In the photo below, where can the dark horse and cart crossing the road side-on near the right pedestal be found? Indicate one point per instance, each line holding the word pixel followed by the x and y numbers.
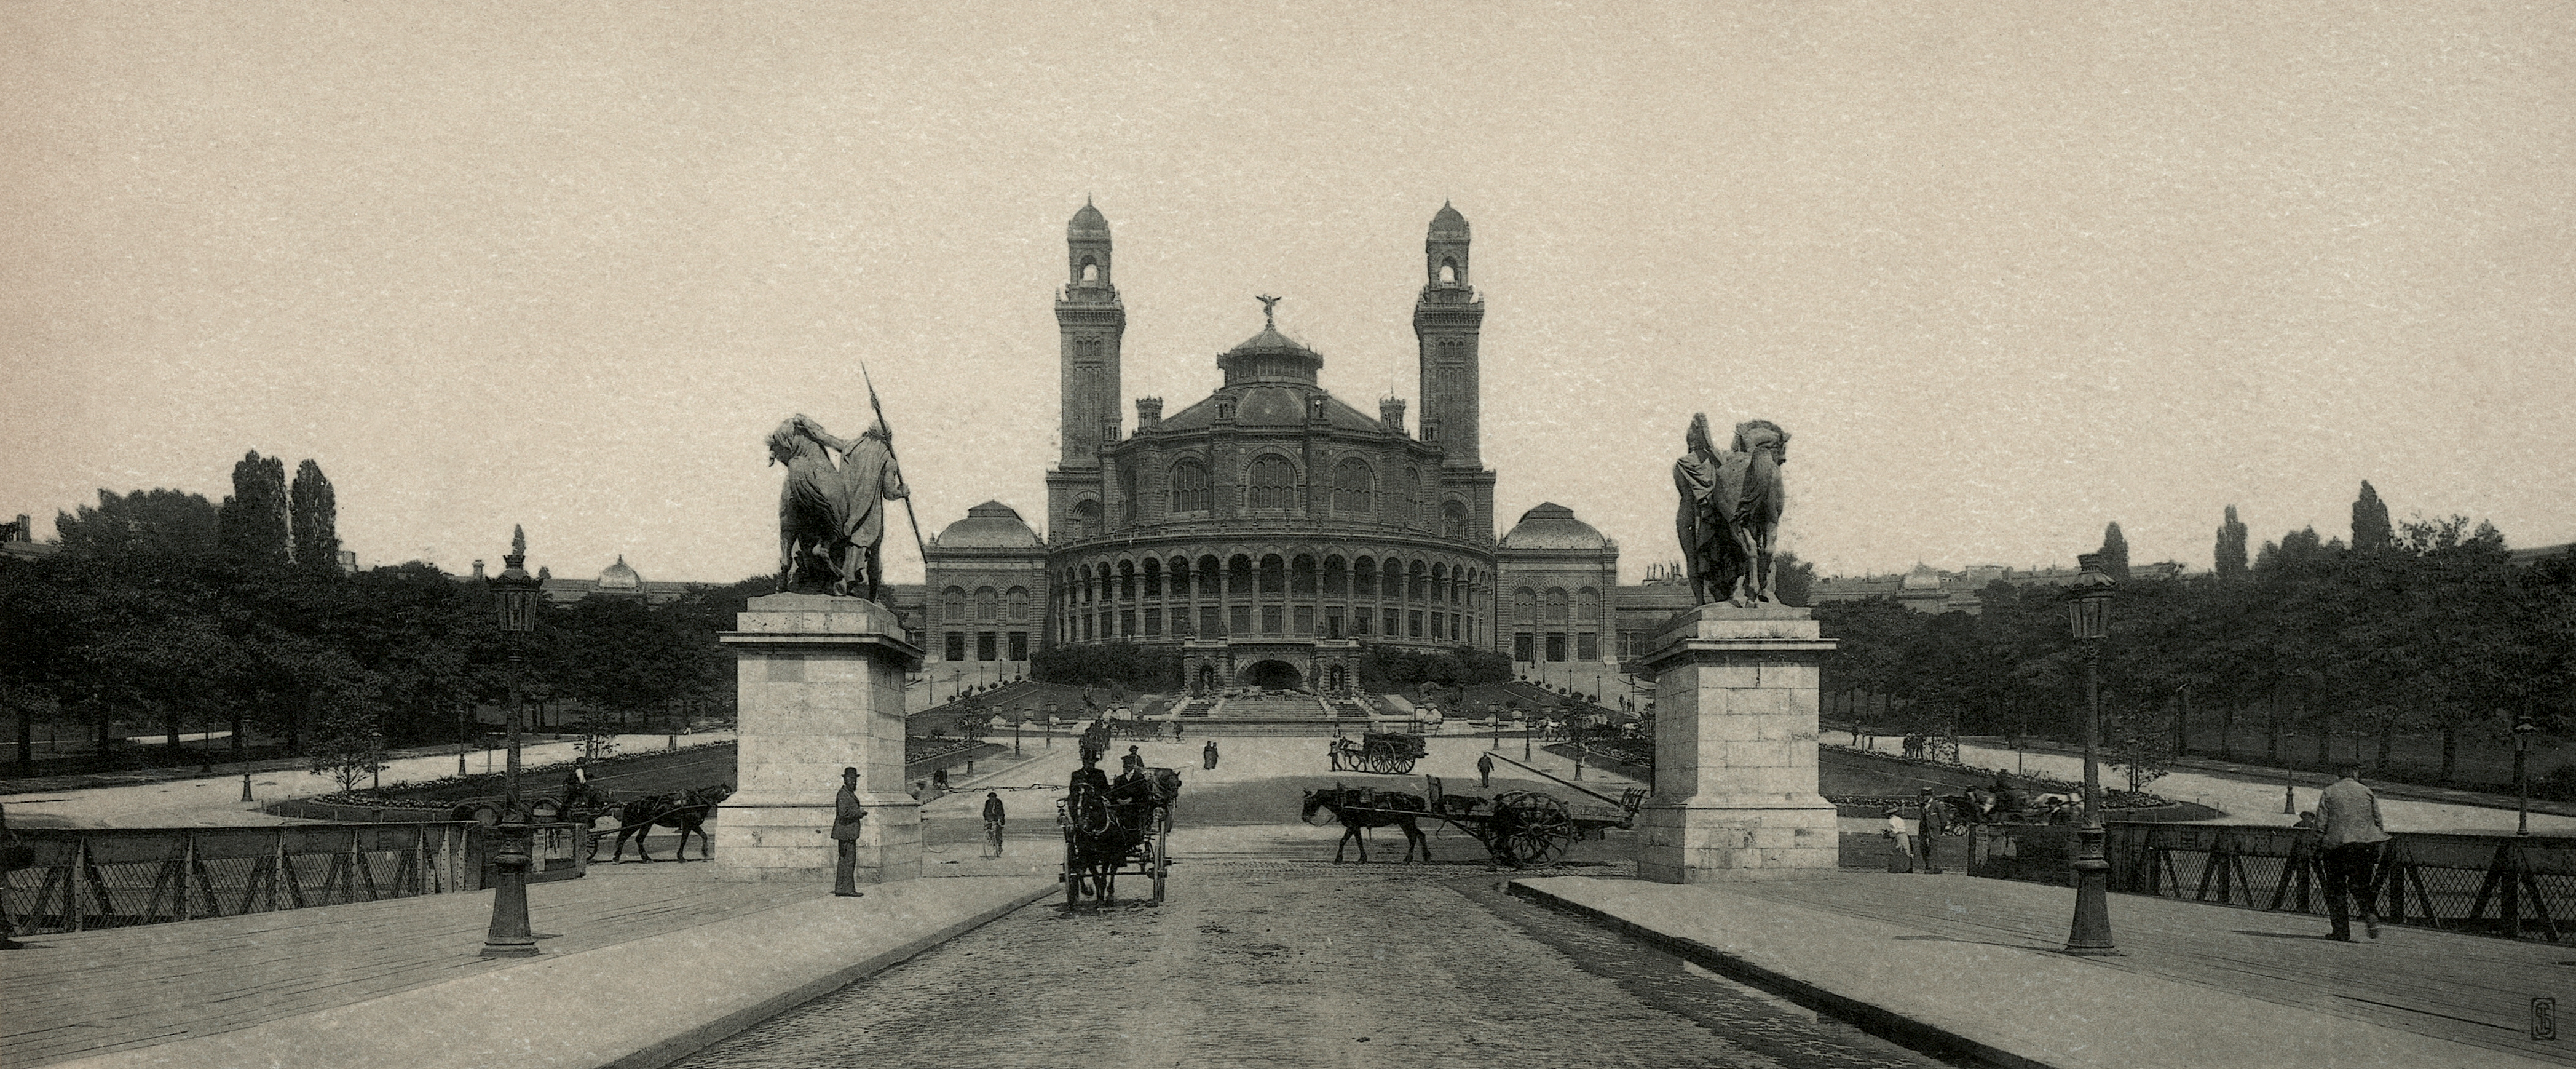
pixel 1516 828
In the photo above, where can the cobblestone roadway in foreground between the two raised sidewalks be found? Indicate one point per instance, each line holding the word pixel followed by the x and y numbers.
pixel 1294 965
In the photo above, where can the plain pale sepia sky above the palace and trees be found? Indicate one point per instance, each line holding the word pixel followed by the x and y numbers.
pixel 2005 272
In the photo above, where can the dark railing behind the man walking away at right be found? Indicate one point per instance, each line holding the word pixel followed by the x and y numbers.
pixel 2487 885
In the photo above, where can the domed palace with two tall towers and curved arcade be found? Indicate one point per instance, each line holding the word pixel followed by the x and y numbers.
pixel 1269 529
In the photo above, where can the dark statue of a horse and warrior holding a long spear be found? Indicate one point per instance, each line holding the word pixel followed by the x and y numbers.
pixel 833 516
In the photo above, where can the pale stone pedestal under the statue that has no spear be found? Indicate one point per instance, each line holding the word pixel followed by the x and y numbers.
pixel 1735 751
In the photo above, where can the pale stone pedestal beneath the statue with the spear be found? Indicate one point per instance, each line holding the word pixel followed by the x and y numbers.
pixel 820 689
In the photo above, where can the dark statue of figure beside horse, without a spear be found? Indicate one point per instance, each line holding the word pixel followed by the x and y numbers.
pixel 1730 519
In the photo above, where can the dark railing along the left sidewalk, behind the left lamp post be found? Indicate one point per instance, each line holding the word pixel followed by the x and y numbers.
pixel 84 880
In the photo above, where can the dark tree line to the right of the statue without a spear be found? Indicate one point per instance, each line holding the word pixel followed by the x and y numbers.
pixel 2423 627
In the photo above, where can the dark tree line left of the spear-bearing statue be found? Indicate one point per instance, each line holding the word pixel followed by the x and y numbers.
pixel 169 614
